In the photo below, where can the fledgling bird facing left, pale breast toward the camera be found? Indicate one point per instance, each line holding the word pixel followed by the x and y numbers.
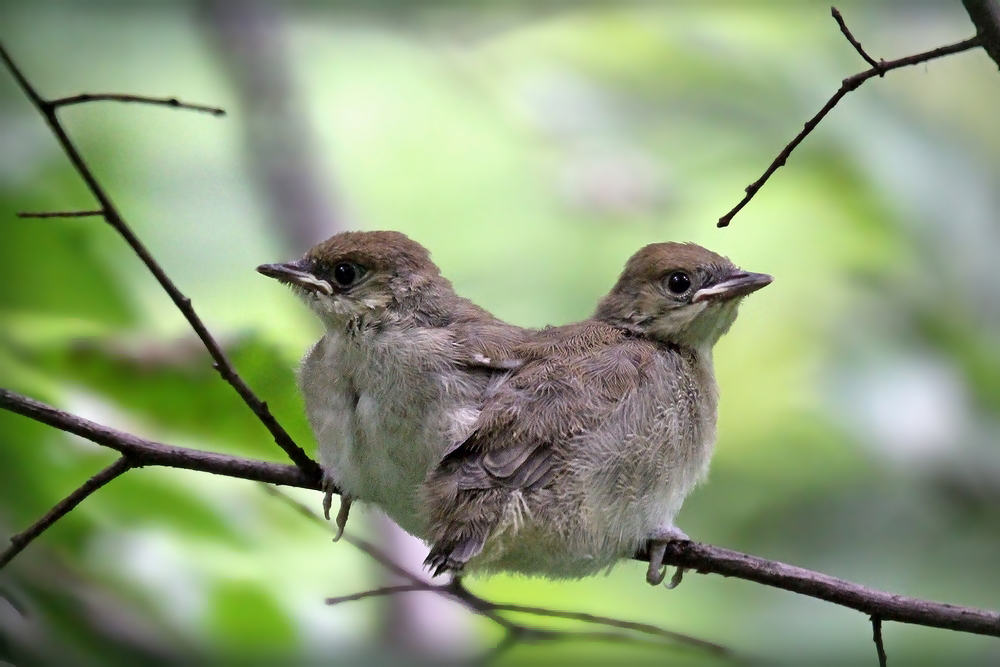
pixel 400 372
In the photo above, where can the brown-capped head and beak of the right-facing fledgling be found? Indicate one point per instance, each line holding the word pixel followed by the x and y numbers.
pixel 678 293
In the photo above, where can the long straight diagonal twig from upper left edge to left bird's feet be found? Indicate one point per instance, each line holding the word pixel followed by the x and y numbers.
pixel 48 111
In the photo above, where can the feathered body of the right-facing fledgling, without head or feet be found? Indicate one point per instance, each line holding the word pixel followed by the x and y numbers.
pixel 578 457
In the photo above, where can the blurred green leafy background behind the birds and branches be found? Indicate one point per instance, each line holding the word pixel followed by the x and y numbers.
pixel 532 146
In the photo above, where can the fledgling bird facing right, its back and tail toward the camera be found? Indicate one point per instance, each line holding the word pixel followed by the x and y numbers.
pixel 584 453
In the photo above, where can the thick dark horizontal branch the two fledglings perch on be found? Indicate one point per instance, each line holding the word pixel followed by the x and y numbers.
pixel 703 558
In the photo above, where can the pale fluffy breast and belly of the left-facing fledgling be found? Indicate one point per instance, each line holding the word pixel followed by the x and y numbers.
pixel 384 405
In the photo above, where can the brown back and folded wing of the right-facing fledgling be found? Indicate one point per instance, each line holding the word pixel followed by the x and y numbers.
pixel 568 382
